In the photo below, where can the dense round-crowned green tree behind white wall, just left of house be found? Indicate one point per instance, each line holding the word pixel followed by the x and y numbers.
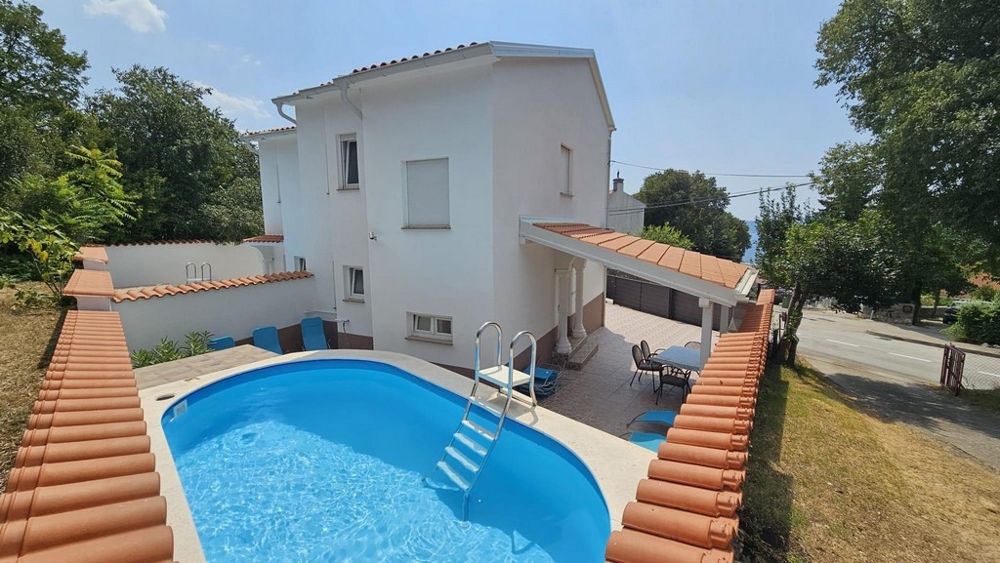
pixel 181 159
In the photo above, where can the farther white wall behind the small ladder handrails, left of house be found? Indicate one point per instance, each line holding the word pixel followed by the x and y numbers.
pixel 155 264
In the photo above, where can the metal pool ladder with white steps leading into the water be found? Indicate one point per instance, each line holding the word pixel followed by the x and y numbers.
pixel 472 443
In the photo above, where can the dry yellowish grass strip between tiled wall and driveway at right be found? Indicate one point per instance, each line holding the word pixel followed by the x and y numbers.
pixel 830 483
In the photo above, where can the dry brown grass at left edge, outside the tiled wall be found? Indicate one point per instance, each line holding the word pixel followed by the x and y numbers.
pixel 26 340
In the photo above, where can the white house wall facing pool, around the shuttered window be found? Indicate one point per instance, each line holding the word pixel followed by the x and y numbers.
pixel 447 114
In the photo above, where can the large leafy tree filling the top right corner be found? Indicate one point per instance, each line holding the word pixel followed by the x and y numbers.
pixel 923 78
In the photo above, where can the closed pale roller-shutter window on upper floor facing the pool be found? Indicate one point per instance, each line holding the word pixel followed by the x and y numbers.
pixel 426 194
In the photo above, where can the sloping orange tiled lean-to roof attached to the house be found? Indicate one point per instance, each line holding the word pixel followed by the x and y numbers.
pixel 719 271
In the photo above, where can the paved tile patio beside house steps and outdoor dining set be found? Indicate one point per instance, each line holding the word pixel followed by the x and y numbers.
pixel 599 395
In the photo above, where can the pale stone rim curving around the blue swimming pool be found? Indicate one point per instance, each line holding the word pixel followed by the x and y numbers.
pixel 615 463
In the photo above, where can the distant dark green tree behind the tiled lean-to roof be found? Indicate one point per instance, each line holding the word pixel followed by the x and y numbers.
pixel 694 205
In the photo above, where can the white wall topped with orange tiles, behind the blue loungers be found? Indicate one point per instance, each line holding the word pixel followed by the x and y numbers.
pixel 233 311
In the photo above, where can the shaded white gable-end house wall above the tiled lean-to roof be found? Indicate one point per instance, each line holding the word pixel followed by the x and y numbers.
pixel 541 105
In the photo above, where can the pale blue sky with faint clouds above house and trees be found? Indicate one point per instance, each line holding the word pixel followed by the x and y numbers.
pixel 717 86
